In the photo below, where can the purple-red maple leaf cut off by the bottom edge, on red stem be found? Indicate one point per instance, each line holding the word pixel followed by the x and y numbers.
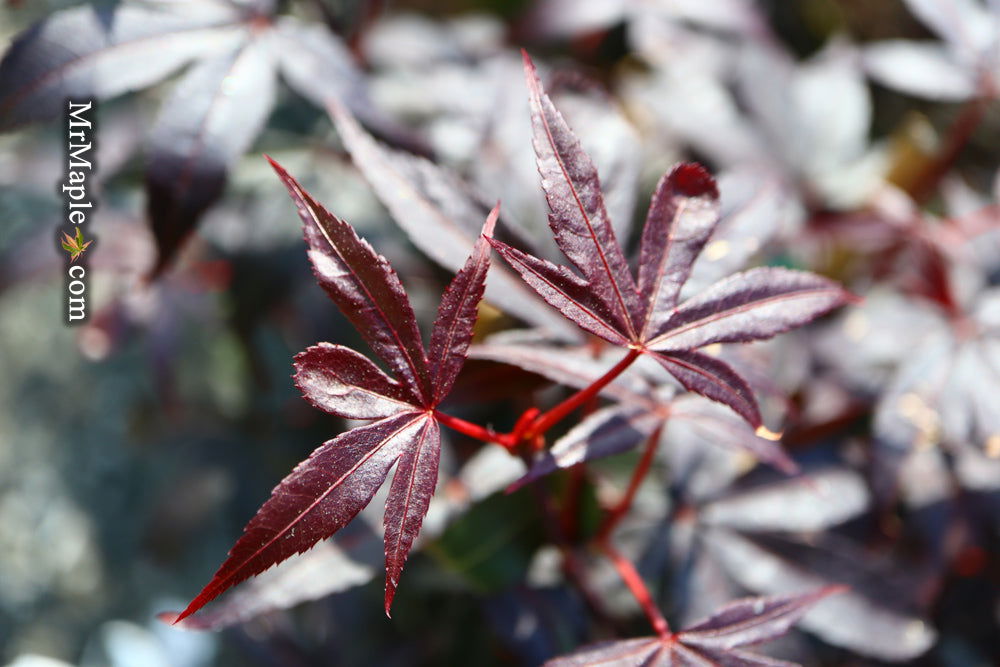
pixel 717 640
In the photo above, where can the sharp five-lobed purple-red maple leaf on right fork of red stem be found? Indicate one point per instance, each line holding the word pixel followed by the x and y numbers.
pixel 644 315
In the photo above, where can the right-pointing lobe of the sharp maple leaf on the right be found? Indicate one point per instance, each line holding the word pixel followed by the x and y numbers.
pixel 752 305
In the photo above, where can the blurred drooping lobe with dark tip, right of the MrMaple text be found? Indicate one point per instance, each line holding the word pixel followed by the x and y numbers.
pixel 206 124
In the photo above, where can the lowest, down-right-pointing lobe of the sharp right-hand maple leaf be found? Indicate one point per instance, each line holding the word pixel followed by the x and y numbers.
pixel 713 379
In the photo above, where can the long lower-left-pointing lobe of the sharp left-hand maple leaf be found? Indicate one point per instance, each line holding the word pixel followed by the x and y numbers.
pixel 317 499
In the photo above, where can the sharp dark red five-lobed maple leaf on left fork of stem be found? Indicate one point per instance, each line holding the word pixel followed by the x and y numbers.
pixel 337 481
